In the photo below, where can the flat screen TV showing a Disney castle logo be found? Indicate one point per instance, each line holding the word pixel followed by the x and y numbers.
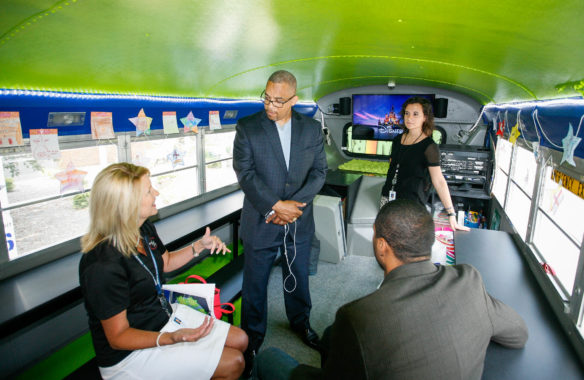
pixel 377 117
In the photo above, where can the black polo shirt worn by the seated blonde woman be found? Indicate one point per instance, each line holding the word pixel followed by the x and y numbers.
pixel 111 283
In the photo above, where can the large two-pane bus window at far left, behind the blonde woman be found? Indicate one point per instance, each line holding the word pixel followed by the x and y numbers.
pixel 45 202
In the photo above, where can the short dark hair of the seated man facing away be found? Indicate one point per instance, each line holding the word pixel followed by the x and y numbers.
pixel 407 227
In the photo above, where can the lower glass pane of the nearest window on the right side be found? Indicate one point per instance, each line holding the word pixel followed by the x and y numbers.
pixel 557 250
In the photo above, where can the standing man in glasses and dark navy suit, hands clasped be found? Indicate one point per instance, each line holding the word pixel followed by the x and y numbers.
pixel 279 159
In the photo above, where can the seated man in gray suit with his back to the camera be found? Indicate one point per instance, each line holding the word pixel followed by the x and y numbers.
pixel 424 321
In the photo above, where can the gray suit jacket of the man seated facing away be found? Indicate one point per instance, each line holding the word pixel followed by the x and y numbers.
pixel 424 322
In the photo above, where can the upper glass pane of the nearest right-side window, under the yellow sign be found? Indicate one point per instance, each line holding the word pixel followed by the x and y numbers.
pixel 563 206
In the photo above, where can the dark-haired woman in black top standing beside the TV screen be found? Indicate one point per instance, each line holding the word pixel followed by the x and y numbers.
pixel 414 164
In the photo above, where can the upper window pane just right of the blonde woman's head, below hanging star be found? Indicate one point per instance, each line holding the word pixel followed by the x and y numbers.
pixel 164 155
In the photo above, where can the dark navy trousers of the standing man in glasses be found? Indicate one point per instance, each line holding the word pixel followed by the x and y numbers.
pixel 257 266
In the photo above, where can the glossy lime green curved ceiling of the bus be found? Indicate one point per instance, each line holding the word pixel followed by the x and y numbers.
pixel 493 51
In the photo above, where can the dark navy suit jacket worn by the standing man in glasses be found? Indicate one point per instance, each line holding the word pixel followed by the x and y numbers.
pixel 259 163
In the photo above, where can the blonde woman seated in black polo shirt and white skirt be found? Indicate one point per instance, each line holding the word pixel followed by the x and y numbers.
pixel 136 333
